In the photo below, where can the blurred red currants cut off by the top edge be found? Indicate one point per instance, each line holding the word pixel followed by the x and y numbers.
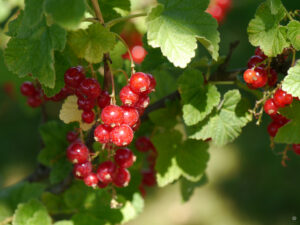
pixel 219 8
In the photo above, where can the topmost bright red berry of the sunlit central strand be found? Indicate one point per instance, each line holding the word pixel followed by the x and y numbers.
pixel 139 83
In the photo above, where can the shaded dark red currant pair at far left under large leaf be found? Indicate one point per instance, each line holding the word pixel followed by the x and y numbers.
pixel 35 96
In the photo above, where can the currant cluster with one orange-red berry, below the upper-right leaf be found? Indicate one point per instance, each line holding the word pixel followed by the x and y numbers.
pixel 257 75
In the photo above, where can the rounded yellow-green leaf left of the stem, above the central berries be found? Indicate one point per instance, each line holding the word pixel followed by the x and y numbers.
pixel 92 43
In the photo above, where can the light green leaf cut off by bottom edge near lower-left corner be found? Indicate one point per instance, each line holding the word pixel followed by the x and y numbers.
pixel 31 213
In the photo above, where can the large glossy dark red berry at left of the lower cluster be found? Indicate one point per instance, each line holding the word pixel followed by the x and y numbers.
pixel 77 152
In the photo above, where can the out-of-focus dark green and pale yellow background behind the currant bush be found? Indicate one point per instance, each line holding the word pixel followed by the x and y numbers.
pixel 247 184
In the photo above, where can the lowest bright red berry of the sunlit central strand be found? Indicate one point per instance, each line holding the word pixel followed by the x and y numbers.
pixel 121 135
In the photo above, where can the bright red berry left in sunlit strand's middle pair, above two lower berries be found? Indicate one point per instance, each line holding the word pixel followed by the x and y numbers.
pixel 112 115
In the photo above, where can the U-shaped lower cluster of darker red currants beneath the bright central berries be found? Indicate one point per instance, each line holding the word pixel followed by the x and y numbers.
pixel 107 172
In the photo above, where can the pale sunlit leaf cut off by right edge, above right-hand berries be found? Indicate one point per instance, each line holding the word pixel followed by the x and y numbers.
pixel 291 83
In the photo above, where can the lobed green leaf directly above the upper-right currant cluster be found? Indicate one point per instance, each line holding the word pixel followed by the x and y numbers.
pixel 266 32
